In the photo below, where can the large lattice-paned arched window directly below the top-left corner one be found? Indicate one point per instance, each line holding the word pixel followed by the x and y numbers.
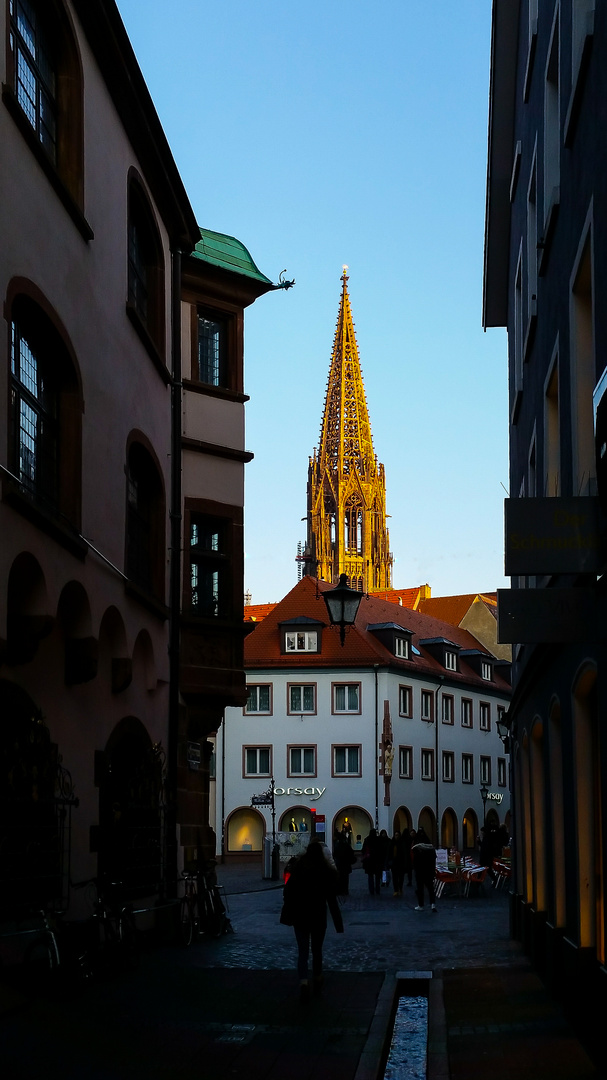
pixel 46 413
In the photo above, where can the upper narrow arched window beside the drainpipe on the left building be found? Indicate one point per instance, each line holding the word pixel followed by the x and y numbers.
pixel 146 272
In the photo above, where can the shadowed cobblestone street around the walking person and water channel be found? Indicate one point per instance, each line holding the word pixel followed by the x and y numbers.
pixel 230 1008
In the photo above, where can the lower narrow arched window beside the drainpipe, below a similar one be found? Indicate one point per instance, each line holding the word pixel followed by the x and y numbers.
pixel 145 522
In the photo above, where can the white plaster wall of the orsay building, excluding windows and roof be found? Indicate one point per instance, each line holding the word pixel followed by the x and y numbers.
pixel 326 730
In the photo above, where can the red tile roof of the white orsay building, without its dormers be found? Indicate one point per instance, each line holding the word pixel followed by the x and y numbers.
pixel 361 649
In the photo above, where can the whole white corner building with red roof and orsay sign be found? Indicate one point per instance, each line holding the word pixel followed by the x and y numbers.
pixel 398 730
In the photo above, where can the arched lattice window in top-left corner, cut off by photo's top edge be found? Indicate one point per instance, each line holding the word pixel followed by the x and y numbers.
pixel 45 94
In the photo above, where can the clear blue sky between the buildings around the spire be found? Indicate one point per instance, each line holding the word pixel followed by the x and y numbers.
pixel 329 133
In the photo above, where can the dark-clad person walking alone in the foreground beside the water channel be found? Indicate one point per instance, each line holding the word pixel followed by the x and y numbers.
pixel 311 889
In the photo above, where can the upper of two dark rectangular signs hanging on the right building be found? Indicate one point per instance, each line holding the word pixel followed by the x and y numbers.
pixel 554 536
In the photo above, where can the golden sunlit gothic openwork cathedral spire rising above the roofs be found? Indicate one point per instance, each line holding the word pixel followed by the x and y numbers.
pixel 346 485
